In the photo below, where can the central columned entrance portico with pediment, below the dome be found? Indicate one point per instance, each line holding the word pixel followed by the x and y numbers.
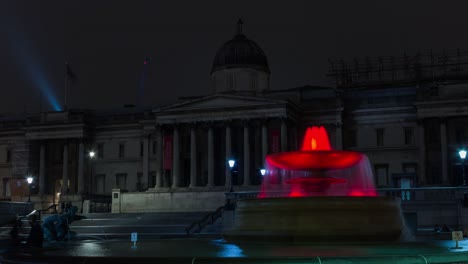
pixel 204 133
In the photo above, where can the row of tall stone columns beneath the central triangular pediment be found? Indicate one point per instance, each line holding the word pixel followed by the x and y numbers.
pixel 245 153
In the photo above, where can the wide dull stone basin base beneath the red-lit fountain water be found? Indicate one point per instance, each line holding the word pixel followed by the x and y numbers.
pixel 317 219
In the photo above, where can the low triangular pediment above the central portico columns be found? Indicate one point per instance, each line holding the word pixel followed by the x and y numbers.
pixel 220 102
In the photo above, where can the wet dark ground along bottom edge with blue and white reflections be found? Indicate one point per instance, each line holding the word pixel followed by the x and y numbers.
pixel 196 250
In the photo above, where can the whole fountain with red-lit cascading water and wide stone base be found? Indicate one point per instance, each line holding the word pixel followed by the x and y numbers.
pixel 317 194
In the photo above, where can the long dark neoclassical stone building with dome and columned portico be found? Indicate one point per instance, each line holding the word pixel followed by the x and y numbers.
pixel 408 114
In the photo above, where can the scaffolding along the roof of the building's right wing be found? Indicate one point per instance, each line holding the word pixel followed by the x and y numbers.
pixel 422 67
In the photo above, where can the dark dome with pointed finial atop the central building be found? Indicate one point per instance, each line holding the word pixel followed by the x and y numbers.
pixel 240 52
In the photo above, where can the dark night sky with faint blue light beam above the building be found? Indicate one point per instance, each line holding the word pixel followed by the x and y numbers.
pixel 106 41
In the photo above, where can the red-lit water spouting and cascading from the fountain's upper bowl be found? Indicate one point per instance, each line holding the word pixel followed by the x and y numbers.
pixel 317 170
